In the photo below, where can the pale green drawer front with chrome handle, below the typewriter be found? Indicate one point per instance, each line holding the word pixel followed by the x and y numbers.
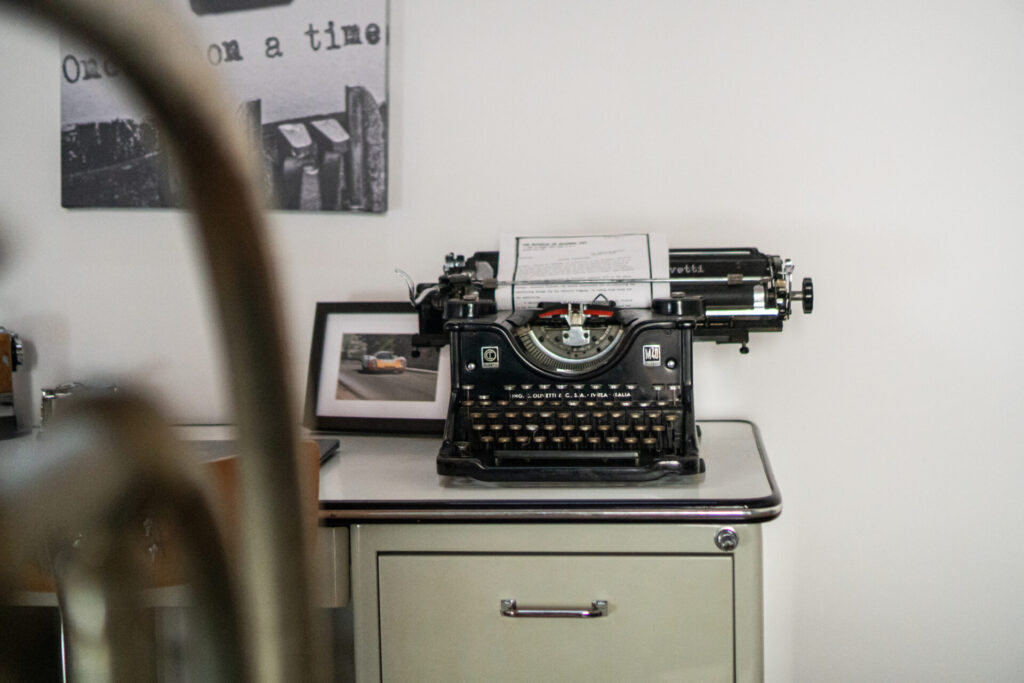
pixel 670 618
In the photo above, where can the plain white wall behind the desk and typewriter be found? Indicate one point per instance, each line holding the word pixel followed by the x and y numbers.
pixel 879 145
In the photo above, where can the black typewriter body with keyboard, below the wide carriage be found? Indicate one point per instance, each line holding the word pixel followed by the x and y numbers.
pixel 527 407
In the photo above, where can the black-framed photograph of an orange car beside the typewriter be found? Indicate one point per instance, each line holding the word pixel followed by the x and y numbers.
pixel 366 376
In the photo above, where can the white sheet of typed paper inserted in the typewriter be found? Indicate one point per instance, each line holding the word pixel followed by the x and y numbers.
pixel 637 257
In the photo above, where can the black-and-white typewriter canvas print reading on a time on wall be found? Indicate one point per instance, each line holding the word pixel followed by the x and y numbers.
pixel 311 80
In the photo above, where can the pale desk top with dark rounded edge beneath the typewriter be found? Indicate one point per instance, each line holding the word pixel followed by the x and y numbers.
pixel 395 478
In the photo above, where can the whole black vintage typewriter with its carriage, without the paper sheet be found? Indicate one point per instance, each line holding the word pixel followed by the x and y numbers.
pixel 587 392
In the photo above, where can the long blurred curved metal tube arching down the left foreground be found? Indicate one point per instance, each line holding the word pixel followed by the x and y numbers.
pixel 148 45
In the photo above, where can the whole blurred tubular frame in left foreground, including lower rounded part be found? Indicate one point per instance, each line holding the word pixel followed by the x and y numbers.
pixel 113 444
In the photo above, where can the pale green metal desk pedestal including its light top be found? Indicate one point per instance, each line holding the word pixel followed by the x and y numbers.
pixel 654 582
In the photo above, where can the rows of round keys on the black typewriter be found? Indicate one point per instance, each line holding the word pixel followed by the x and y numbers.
pixel 615 433
